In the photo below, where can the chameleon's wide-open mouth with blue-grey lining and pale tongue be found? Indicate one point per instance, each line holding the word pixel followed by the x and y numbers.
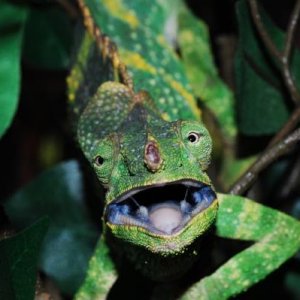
pixel 162 209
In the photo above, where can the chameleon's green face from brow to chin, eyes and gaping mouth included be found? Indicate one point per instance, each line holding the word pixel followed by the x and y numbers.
pixel 159 196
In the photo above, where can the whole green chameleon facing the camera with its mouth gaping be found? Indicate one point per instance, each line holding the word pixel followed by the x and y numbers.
pixel 138 124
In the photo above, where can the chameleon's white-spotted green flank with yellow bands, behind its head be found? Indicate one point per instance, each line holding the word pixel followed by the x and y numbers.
pixel 151 62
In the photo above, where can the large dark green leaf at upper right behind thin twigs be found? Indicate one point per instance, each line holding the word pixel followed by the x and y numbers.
pixel 261 96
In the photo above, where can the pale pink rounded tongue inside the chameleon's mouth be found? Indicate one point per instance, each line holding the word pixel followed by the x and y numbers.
pixel 166 218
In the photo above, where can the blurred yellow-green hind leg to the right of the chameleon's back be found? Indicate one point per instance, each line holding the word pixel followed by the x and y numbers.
pixel 202 73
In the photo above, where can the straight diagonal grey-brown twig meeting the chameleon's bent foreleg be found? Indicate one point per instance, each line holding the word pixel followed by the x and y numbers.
pixel 267 157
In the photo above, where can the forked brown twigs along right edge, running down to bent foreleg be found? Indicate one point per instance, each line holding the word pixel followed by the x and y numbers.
pixel 279 144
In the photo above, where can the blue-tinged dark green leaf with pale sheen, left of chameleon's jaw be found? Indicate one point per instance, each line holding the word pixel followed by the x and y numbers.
pixel 69 243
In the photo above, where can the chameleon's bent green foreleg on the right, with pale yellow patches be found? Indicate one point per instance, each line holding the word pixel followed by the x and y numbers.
pixel 276 237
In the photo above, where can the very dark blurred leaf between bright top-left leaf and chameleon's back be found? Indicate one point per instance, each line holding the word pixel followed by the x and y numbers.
pixel 48 38
